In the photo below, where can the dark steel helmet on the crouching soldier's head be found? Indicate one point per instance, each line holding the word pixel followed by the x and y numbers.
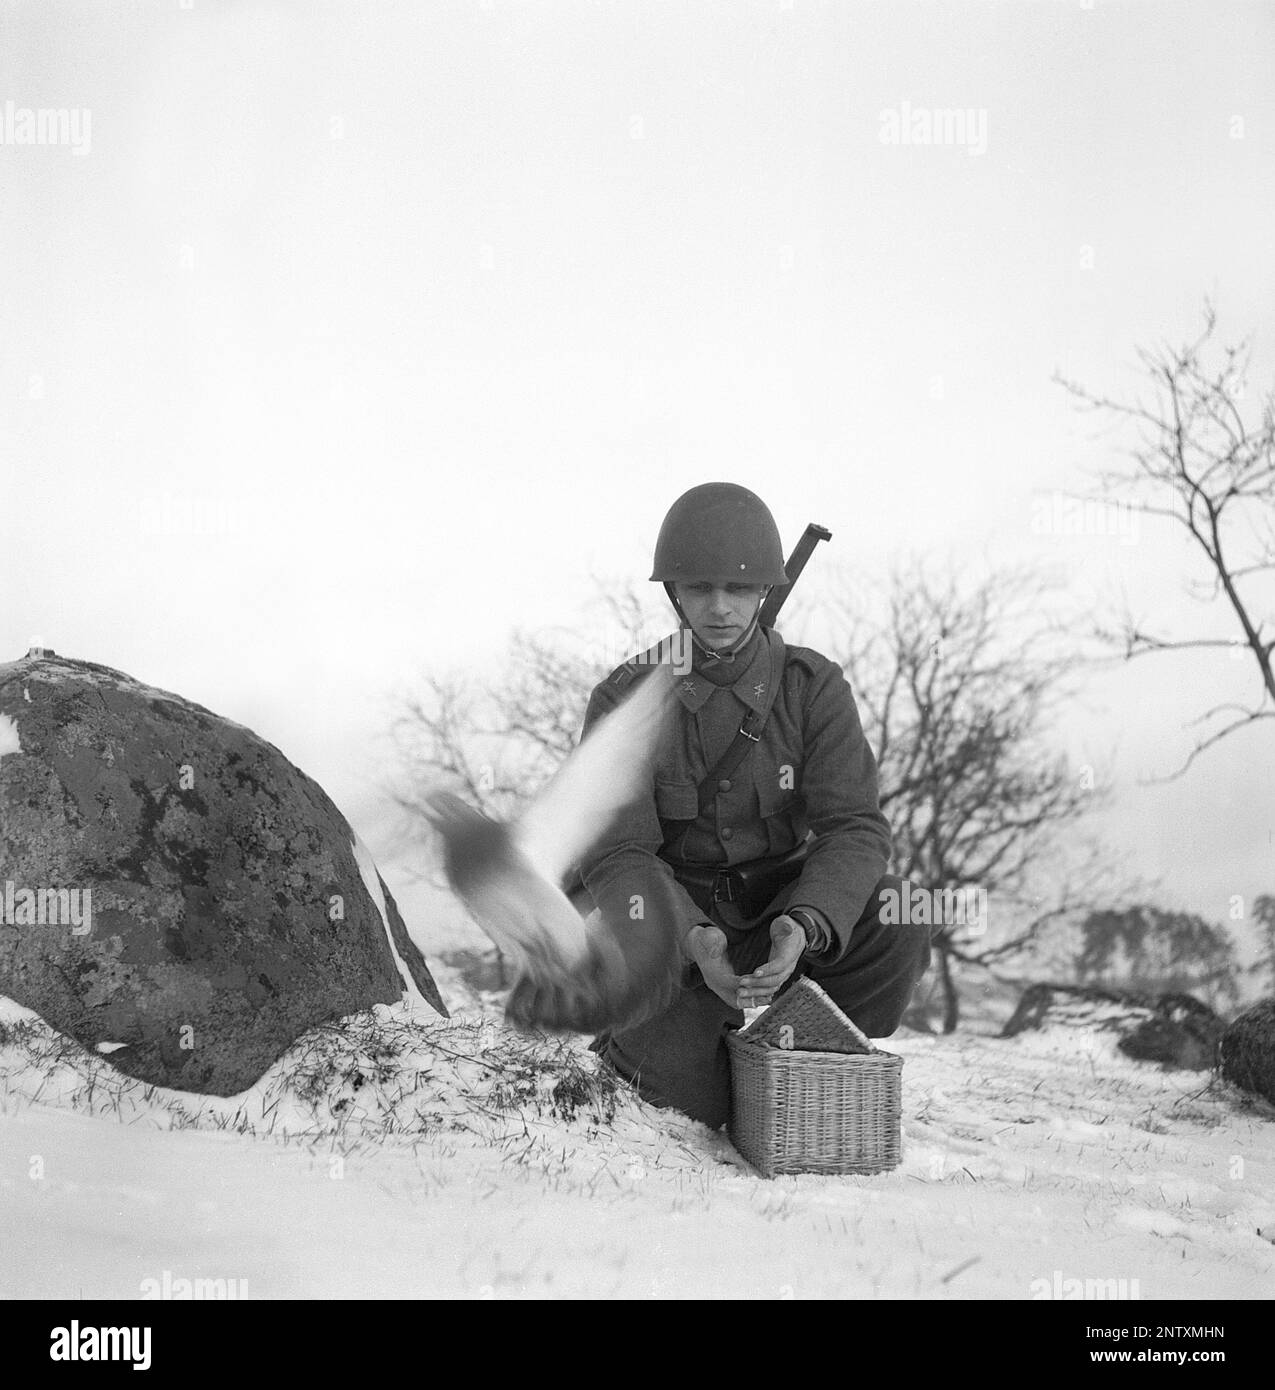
pixel 720 533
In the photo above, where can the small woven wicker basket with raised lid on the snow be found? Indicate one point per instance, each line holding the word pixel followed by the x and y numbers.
pixel 815 1113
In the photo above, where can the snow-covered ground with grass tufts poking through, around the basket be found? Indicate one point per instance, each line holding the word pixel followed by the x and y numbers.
pixel 403 1156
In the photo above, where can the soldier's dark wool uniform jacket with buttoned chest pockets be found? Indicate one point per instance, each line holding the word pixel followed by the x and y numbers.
pixel 811 771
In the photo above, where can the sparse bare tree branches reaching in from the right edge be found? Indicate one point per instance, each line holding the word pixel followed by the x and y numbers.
pixel 1199 462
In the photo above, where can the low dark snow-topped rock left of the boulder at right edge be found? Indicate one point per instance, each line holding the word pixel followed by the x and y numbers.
pixel 1176 1031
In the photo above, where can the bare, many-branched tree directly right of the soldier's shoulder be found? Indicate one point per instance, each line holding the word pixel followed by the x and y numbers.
pixel 957 683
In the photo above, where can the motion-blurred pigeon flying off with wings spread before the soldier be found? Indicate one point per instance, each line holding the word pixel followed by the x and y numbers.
pixel 574 974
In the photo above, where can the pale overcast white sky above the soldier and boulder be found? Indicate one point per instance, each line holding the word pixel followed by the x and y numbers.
pixel 448 302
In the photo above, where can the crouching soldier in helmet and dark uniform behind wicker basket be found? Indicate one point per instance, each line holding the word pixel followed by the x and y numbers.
pixel 763 811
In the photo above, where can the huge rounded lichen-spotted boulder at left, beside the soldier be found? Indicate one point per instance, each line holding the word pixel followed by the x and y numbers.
pixel 173 892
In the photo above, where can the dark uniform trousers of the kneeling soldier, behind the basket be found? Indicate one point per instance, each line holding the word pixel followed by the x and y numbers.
pixel 679 1058
